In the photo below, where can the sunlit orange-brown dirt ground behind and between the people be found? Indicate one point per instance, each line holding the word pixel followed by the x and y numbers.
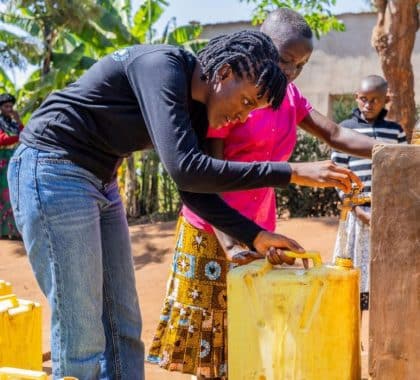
pixel 152 251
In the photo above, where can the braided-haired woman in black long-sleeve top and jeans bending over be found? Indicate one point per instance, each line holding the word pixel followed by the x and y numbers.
pixel 65 197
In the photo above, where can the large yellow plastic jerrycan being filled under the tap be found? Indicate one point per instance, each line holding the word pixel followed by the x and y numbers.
pixel 292 323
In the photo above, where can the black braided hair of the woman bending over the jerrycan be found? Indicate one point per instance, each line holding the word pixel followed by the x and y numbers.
pixel 251 54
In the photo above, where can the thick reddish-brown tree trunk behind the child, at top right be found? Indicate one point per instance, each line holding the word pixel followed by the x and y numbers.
pixel 393 38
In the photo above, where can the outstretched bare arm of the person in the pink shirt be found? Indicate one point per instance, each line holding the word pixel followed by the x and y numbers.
pixel 339 138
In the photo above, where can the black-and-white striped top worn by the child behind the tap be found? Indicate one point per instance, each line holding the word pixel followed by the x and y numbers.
pixel 381 130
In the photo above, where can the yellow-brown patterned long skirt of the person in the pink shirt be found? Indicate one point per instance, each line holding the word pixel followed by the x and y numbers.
pixel 191 335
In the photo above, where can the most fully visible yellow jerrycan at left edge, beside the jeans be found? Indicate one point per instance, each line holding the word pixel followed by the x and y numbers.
pixel 20 333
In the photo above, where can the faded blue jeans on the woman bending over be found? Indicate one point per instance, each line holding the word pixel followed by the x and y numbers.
pixel 76 235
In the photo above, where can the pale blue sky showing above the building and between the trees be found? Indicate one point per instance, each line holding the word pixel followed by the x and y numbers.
pixel 210 12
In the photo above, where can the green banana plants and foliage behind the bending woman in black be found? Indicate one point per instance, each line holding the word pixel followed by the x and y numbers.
pixel 63 38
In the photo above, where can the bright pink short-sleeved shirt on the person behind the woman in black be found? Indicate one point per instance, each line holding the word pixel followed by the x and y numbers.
pixel 267 135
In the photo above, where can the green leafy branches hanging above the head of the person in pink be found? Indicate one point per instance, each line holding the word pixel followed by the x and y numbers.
pixel 316 12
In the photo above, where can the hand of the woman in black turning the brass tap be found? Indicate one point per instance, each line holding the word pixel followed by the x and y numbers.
pixel 324 174
